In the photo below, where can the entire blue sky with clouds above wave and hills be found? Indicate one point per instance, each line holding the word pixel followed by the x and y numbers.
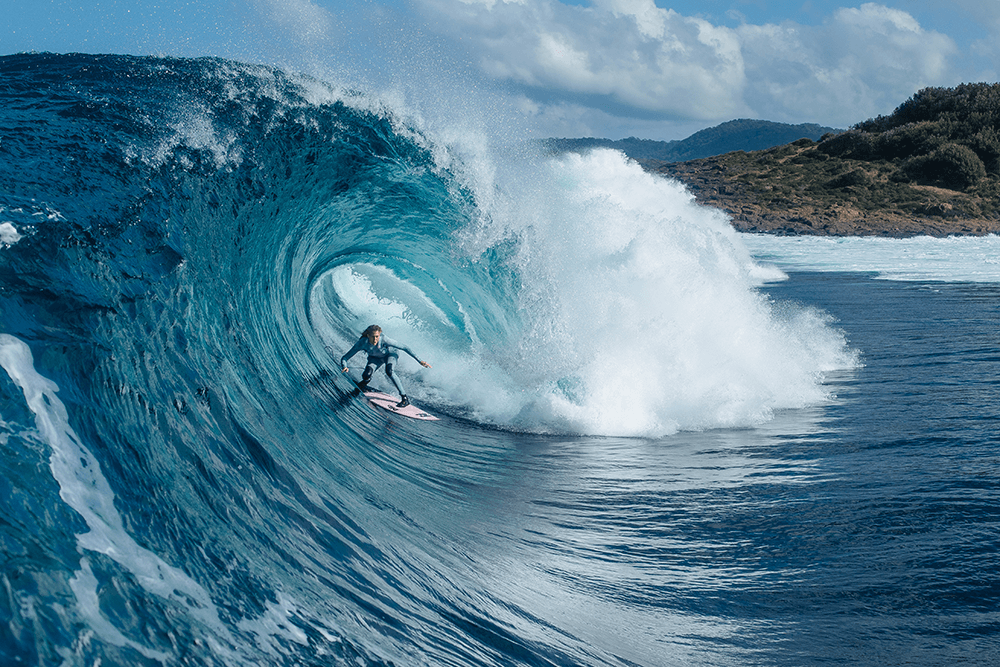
pixel 657 69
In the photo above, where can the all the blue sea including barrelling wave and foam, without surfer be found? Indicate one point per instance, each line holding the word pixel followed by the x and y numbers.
pixel 662 442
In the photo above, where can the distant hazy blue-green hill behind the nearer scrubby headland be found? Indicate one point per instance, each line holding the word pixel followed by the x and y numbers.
pixel 736 135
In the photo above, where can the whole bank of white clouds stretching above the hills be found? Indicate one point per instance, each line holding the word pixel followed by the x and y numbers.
pixel 631 58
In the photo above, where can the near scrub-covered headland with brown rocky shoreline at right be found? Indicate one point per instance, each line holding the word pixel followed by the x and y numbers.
pixel 931 167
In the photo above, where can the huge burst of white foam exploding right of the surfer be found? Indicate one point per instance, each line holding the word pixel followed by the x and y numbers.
pixel 642 312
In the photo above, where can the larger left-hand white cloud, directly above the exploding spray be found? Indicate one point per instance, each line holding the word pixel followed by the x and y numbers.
pixel 628 52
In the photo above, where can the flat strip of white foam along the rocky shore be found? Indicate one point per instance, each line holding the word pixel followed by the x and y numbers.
pixel 951 259
